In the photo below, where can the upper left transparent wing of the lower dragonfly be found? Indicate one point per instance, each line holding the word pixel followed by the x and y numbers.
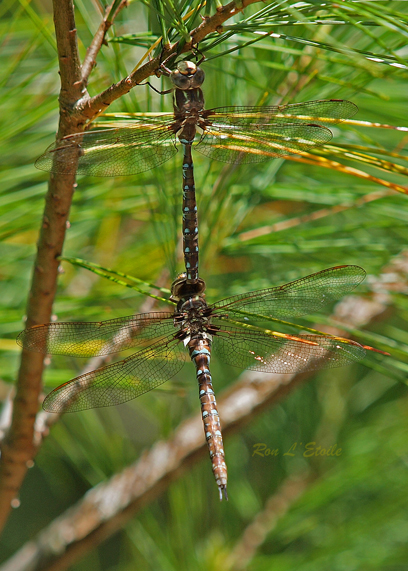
pixel 87 339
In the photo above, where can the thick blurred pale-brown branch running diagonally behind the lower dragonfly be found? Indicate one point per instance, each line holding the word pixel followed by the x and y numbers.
pixel 108 506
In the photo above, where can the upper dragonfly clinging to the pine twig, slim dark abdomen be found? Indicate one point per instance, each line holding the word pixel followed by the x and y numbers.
pixel 243 134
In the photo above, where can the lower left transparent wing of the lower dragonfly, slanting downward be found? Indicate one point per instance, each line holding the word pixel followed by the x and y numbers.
pixel 119 382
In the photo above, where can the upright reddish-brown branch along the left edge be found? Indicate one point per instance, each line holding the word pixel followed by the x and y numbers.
pixel 18 448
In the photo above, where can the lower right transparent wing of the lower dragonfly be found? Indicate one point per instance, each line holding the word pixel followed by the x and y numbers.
pixel 268 353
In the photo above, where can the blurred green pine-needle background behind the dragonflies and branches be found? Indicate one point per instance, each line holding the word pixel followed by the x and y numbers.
pixel 352 513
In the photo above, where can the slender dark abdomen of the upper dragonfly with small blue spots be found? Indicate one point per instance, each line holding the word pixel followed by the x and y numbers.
pixel 190 223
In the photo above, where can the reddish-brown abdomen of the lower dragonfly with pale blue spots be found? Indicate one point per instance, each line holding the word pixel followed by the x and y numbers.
pixel 200 353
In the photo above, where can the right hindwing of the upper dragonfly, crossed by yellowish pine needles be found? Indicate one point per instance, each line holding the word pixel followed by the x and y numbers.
pixel 236 144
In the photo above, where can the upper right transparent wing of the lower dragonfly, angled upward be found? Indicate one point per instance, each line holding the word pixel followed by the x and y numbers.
pixel 300 297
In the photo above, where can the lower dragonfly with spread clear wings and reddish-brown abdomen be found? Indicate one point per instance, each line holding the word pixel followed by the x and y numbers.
pixel 197 326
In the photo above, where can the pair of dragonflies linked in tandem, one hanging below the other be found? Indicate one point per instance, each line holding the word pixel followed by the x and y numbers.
pixel 231 135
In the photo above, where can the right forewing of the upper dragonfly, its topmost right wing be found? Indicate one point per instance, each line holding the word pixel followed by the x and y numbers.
pixel 321 112
